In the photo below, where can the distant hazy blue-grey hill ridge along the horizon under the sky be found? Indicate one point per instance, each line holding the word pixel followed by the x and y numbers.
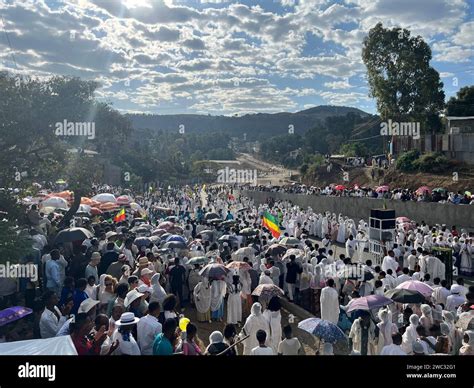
pixel 256 126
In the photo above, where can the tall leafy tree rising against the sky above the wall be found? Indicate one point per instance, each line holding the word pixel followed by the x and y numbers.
pixel 400 77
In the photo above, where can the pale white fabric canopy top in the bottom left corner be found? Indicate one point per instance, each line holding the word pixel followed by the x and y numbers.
pixel 56 346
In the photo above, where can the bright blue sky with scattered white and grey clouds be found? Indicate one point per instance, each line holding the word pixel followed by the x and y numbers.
pixel 226 57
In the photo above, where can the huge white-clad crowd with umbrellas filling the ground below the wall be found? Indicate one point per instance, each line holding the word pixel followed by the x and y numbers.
pixel 130 285
